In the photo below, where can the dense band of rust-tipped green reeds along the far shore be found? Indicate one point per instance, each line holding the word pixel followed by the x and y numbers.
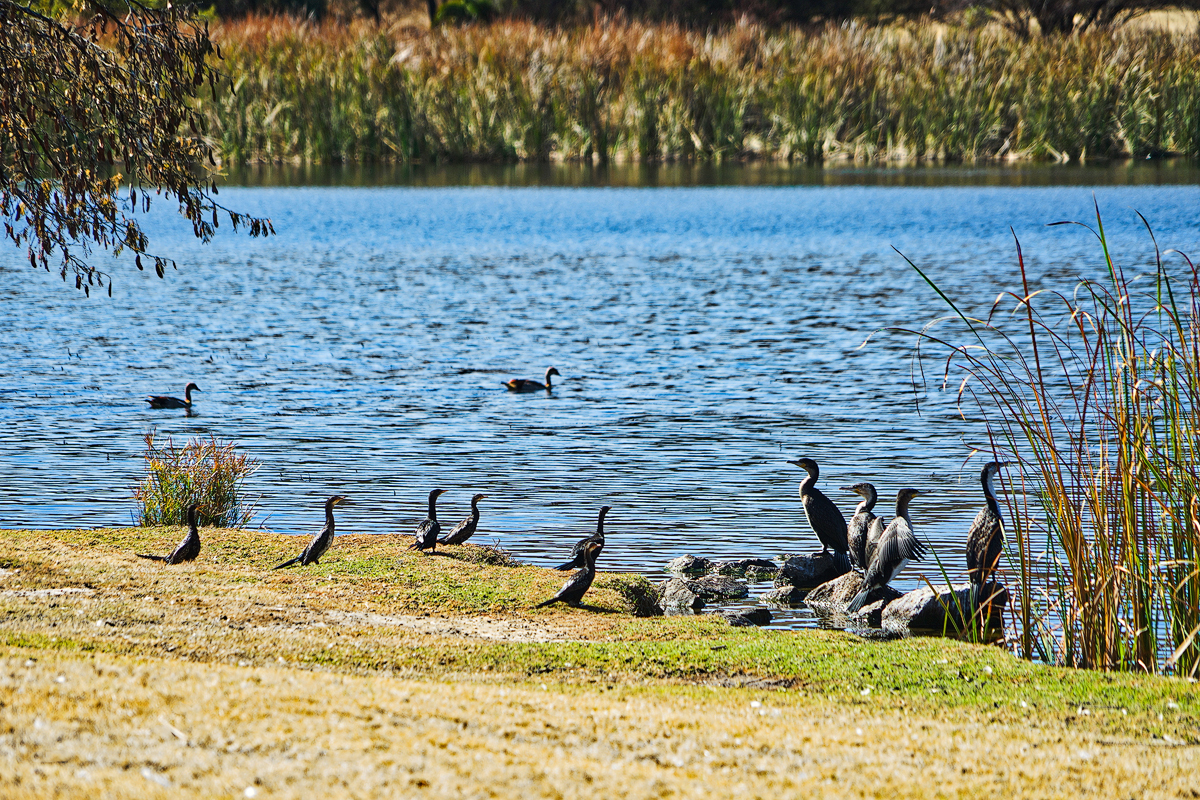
pixel 514 92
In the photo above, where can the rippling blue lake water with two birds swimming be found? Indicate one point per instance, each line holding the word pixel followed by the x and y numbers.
pixel 705 335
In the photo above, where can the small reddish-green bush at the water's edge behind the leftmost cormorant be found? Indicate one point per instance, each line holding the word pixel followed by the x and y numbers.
pixel 211 473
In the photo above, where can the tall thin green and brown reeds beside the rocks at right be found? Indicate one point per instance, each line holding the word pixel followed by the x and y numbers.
pixel 1096 394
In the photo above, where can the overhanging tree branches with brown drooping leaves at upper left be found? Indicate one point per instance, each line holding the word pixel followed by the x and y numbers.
pixel 89 107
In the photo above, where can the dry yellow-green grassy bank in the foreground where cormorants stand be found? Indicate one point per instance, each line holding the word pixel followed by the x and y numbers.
pixel 383 671
